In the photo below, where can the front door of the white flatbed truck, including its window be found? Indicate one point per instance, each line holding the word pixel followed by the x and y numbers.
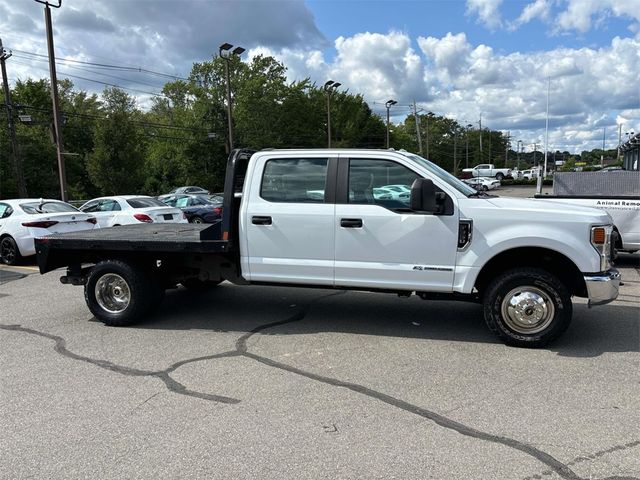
pixel 380 242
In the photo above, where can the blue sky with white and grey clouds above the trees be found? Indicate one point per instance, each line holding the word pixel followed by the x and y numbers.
pixel 495 60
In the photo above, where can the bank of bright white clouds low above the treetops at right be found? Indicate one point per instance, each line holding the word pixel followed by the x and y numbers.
pixel 452 77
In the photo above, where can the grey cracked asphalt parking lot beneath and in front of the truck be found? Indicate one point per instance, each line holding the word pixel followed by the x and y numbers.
pixel 263 382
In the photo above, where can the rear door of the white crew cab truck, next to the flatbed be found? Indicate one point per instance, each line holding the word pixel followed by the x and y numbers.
pixel 288 218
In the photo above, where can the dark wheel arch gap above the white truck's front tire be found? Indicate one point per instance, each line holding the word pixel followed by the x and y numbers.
pixel 544 258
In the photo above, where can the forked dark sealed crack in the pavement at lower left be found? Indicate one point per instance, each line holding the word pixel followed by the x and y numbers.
pixel 60 347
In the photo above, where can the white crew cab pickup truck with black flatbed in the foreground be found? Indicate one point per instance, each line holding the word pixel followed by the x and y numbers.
pixel 522 259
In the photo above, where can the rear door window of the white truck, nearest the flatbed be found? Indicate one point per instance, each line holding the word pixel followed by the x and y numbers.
pixel 294 180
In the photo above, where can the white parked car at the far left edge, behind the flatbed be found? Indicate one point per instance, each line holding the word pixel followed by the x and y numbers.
pixel 22 220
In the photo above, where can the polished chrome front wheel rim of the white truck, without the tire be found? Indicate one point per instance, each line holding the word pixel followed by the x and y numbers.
pixel 527 310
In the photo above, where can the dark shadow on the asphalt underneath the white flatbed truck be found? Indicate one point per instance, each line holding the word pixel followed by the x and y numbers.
pixel 228 308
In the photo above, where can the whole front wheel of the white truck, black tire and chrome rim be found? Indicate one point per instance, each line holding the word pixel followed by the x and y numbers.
pixel 527 307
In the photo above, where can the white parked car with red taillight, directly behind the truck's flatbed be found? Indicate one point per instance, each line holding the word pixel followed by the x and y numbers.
pixel 131 209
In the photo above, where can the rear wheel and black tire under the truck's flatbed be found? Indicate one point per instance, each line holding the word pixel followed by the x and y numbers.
pixel 119 294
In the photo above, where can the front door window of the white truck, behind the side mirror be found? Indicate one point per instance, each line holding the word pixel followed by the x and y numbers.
pixel 380 182
